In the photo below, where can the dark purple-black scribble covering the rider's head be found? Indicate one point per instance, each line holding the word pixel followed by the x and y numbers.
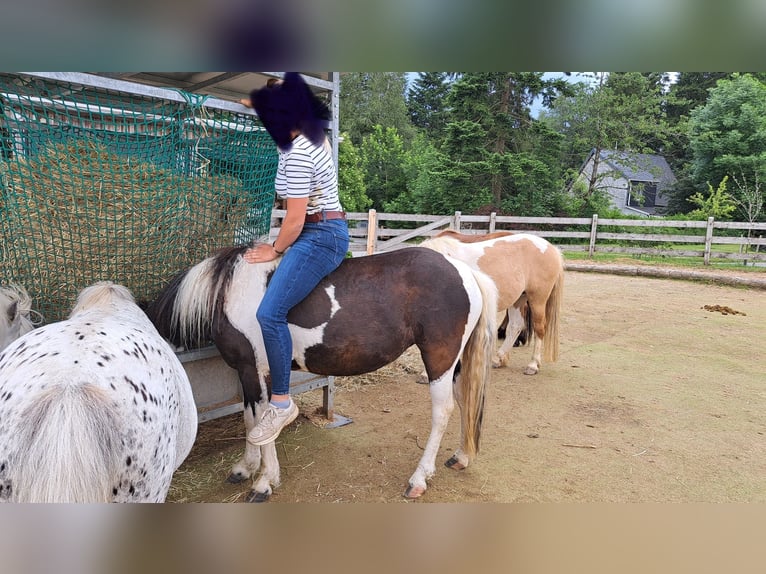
pixel 291 105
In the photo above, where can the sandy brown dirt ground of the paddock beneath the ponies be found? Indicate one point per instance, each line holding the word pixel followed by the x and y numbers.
pixel 659 395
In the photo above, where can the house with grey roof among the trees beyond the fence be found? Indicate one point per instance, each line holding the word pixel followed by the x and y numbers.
pixel 636 183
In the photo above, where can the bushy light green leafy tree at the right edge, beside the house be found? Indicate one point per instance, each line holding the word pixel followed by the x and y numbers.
pixel 728 134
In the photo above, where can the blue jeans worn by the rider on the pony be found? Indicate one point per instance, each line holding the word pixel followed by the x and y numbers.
pixel 319 249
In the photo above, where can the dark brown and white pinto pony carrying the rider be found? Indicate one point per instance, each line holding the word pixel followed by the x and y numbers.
pixel 361 317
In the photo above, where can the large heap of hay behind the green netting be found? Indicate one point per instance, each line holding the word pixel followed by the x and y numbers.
pixel 76 213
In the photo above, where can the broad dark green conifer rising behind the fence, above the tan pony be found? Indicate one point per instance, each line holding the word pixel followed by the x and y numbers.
pixel 490 145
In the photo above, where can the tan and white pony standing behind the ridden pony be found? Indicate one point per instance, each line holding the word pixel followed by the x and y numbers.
pixel 529 274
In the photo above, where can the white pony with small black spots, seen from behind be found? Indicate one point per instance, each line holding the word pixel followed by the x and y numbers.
pixel 96 408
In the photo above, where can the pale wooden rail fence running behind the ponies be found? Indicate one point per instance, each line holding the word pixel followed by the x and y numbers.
pixel 374 232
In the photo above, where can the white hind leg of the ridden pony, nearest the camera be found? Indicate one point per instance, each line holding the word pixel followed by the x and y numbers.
pixel 442 405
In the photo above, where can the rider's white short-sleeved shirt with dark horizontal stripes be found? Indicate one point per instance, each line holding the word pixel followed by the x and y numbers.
pixel 306 170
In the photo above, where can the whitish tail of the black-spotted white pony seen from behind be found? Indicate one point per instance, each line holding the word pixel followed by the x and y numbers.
pixel 69 447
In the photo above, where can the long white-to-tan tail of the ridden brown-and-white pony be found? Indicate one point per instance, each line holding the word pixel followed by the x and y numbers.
pixel 476 367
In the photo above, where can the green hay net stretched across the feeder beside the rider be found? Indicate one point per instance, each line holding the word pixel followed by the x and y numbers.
pixel 98 184
